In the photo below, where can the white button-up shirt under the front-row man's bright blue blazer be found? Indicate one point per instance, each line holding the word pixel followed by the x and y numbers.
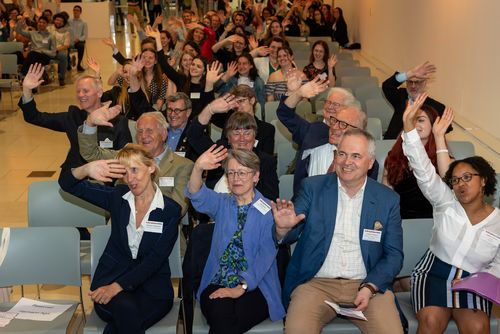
pixel 344 258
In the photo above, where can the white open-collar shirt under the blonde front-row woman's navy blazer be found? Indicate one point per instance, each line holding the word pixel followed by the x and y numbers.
pixel 134 234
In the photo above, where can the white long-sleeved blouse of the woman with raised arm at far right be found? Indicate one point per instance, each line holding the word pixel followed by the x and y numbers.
pixel 454 239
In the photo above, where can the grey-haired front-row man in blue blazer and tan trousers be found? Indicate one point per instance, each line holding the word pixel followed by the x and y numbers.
pixel 349 245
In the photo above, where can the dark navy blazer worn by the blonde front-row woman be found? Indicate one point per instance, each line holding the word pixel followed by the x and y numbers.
pixel 150 271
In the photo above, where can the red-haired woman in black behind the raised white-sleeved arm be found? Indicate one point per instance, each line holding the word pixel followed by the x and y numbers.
pixel 397 172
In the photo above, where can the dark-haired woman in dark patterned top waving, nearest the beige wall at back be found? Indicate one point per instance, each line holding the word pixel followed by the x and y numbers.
pixel 320 63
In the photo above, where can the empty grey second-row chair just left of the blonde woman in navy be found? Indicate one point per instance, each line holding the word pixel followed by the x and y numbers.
pixel 49 205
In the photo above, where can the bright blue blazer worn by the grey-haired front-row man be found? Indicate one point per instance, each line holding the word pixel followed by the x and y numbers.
pixel 317 199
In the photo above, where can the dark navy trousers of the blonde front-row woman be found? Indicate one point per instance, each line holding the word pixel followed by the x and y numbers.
pixel 132 312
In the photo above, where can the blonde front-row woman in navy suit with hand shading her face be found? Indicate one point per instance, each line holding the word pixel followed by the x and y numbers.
pixel 131 287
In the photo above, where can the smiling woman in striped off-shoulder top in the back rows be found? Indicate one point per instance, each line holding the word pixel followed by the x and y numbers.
pixel 276 85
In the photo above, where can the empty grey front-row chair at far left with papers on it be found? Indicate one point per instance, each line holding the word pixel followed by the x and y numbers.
pixel 42 255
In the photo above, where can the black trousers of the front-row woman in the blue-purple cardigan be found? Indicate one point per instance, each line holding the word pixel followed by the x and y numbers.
pixel 232 316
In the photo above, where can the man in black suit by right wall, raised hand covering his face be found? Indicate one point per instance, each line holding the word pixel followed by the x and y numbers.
pixel 416 80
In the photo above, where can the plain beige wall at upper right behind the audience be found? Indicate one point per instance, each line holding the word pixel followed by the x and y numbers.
pixel 460 37
